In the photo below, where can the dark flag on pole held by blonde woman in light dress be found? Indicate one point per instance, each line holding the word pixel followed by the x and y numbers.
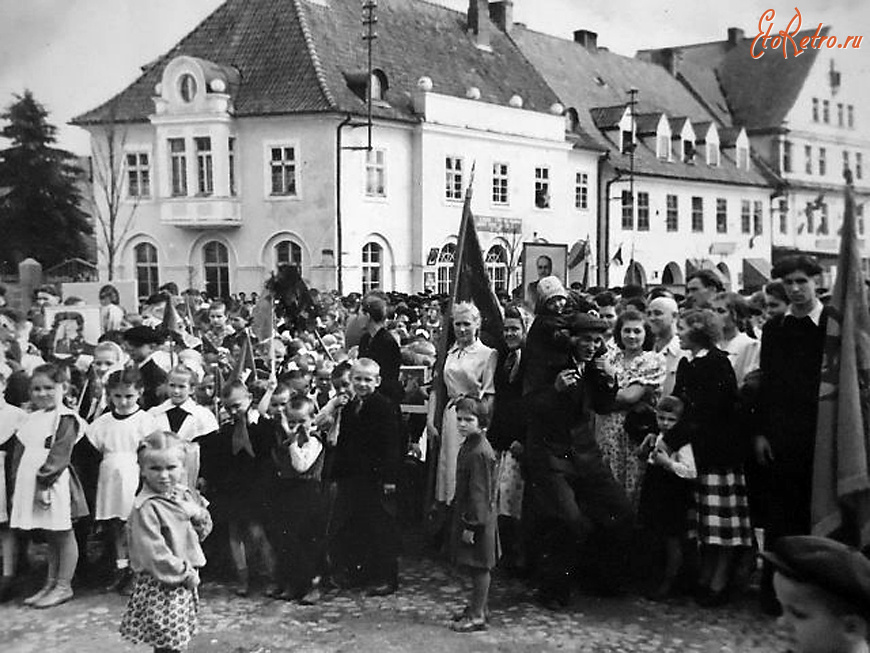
pixel 470 283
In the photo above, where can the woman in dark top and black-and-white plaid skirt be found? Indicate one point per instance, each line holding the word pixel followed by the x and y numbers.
pixel 708 387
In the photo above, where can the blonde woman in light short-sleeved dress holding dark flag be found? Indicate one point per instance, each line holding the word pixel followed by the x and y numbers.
pixel 469 370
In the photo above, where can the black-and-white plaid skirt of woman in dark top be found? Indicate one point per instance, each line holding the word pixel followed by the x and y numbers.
pixel 720 512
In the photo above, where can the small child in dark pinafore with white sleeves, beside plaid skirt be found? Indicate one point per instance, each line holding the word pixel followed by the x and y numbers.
pixel 666 494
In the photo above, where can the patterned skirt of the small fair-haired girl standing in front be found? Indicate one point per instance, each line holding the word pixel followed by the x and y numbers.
pixel 160 615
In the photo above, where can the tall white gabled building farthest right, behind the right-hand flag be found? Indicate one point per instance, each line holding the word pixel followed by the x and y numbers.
pixel 806 118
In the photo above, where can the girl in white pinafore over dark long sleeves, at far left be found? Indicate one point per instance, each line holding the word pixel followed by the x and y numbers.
pixel 42 499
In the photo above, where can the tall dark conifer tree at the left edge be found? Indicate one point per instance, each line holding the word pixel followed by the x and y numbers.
pixel 40 214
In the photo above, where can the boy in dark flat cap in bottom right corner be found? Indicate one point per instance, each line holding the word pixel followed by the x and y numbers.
pixel 824 589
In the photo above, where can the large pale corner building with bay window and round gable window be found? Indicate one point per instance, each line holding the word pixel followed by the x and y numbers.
pixel 246 146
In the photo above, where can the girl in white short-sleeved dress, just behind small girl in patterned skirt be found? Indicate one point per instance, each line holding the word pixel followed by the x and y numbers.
pixel 116 435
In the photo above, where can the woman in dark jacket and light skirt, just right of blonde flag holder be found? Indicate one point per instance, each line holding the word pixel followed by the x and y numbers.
pixel 507 432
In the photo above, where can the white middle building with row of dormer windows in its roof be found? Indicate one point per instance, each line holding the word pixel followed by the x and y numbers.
pixel 700 199
